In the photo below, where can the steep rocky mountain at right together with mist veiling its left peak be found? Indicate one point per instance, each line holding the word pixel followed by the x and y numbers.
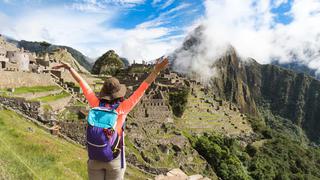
pixel 289 92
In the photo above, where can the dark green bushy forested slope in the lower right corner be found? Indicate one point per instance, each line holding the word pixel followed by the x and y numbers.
pixel 277 153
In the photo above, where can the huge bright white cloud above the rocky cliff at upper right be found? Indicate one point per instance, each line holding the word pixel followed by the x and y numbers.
pixel 251 28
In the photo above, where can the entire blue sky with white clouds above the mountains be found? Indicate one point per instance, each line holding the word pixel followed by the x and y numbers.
pixel 147 29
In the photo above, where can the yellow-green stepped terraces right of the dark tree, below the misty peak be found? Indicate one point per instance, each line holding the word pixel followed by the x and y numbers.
pixel 197 118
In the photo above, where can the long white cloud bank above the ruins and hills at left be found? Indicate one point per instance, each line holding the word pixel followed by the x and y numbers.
pixel 88 32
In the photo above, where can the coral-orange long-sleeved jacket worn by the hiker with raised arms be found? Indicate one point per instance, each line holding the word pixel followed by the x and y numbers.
pixel 124 108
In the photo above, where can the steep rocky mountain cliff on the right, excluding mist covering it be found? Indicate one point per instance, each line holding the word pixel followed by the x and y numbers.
pixel 252 86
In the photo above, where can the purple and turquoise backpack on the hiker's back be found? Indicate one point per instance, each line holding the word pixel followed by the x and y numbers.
pixel 103 141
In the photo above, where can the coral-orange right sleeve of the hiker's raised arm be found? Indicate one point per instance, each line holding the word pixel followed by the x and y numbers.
pixel 129 103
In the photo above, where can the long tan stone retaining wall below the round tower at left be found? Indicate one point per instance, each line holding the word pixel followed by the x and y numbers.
pixel 9 79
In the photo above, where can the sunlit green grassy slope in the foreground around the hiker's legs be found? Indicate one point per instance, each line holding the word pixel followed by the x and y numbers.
pixel 28 152
